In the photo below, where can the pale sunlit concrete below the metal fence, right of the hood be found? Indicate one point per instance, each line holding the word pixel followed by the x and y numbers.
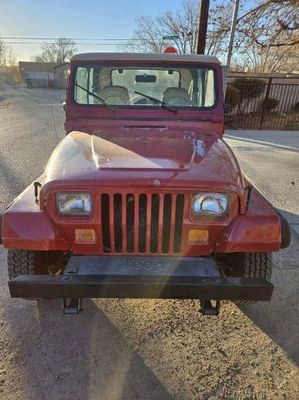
pixel 271 159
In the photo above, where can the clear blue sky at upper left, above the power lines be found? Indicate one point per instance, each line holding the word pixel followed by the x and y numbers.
pixel 74 18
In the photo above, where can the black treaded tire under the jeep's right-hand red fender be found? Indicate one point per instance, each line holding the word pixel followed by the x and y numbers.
pixel 246 265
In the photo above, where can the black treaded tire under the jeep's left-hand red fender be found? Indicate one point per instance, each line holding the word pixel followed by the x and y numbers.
pixel 25 262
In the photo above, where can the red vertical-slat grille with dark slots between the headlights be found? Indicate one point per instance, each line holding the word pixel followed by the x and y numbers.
pixel 141 223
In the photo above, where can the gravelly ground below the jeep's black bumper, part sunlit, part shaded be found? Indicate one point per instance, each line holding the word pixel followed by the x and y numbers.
pixel 150 349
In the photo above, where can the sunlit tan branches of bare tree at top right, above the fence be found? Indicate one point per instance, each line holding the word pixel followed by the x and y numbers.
pixel 268 35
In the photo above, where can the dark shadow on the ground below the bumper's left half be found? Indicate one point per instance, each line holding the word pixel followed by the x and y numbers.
pixel 81 357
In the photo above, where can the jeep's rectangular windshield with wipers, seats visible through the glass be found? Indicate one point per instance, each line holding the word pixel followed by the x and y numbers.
pixel 176 87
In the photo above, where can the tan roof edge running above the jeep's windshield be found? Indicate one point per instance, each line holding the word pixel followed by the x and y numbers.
pixel 171 57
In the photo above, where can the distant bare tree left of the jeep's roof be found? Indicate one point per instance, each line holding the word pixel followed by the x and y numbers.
pixel 59 51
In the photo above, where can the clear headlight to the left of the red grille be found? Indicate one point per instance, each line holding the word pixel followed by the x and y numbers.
pixel 74 203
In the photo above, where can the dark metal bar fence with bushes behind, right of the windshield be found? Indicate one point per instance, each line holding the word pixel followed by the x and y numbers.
pixel 263 103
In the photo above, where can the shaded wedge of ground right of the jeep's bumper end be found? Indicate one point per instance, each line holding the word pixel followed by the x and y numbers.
pixel 279 317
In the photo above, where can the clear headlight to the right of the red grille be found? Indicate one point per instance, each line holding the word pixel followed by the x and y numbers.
pixel 214 204
